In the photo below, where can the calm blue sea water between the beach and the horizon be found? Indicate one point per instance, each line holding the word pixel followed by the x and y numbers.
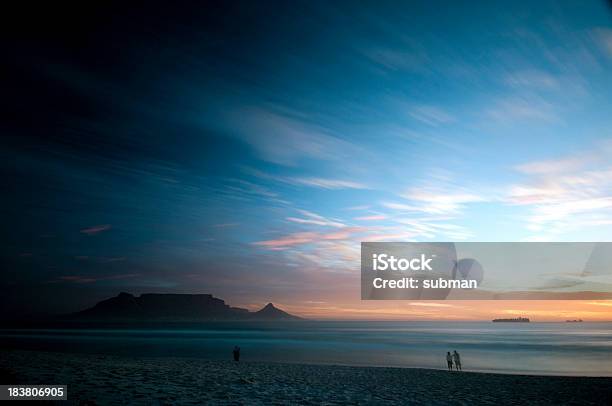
pixel 535 348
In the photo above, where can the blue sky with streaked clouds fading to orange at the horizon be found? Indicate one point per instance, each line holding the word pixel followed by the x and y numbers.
pixel 245 149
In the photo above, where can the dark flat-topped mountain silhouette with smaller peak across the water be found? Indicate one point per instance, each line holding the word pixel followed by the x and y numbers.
pixel 175 307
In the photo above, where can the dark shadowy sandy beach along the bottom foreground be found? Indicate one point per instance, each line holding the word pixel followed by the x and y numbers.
pixel 143 381
